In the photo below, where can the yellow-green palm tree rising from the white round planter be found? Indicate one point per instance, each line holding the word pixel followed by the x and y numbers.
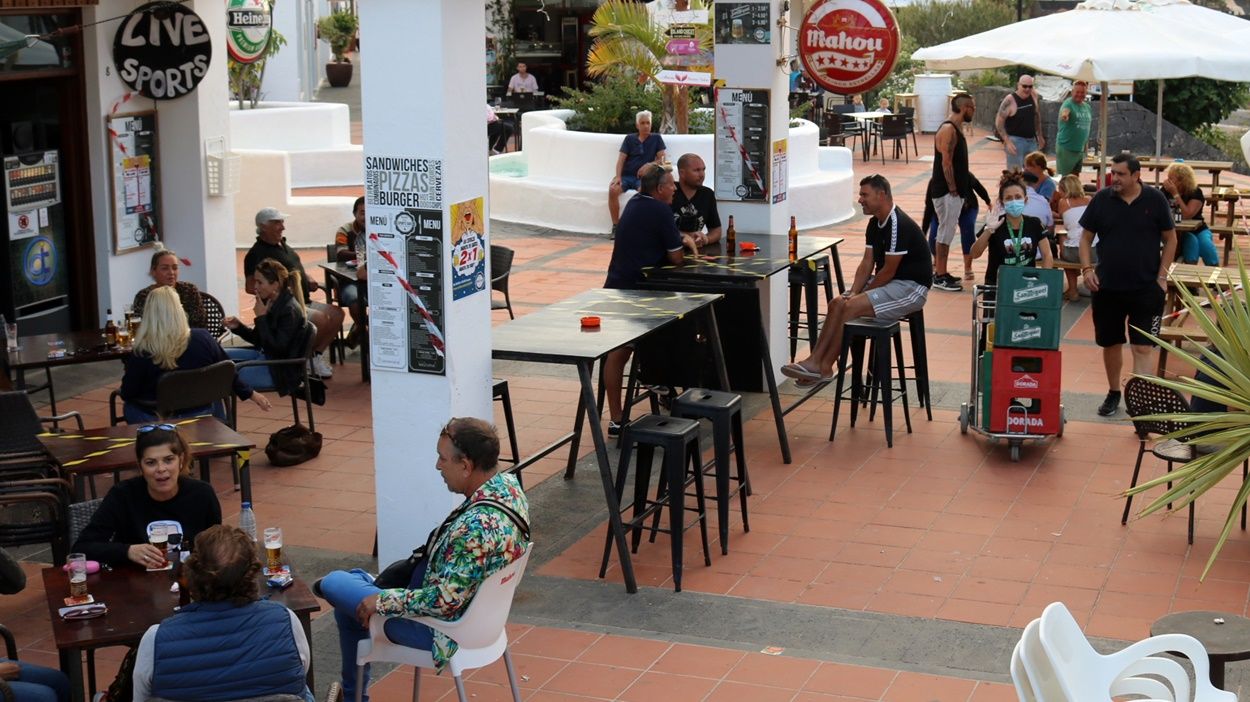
pixel 628 42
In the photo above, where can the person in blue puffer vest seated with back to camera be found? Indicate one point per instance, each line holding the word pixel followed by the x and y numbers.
pixel 227 644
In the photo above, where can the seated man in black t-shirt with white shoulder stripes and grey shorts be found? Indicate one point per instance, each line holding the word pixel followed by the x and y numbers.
pixel 892 282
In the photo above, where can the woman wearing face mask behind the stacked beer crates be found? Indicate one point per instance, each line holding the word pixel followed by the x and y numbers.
pixel 1018 239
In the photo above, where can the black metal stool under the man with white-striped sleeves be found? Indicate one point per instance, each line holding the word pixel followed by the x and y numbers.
pixel 882 337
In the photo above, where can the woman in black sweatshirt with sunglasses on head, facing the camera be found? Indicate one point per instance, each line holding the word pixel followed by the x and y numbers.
pixel 164 495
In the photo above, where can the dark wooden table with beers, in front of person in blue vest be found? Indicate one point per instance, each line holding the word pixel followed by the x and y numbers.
pixel 138 600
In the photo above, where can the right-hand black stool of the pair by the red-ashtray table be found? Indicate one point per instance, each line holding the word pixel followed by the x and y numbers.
pixel 726 413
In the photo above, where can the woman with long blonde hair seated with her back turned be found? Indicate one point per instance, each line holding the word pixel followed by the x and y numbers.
pixel 166 343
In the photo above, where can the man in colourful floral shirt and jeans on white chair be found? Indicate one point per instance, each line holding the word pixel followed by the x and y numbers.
pixel 487 533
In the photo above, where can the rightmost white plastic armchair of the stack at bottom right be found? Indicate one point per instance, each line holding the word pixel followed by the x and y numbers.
pixel 1084 675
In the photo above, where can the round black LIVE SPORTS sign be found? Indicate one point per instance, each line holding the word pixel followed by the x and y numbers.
pixel 162 51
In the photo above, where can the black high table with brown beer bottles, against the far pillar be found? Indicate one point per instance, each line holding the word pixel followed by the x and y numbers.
pixel 716 270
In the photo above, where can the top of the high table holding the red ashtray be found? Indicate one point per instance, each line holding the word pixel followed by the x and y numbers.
pixel 554 334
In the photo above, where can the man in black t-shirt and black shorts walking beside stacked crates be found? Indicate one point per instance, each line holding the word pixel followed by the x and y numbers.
pixel 1137 243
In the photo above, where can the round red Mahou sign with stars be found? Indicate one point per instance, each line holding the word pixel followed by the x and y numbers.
pixel 849 46
